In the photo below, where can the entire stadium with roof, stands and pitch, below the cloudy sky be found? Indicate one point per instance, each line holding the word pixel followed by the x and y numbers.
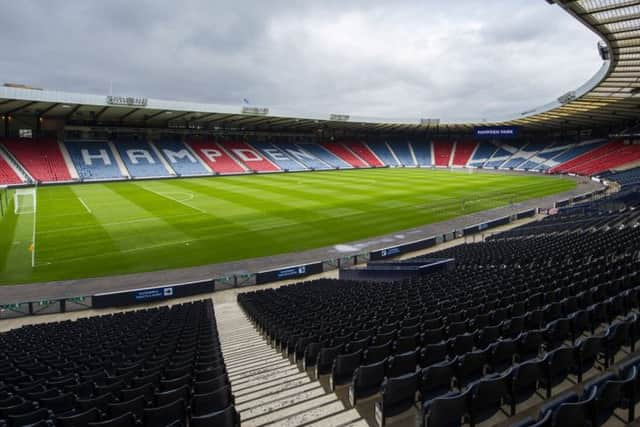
pixel 176 263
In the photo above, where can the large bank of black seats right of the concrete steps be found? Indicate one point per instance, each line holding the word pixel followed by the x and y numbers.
pixel 533 311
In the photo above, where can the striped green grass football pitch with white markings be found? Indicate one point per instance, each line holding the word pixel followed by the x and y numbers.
pixel 100 229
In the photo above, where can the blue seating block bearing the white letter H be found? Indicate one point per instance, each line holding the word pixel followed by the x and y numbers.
pixel 93 160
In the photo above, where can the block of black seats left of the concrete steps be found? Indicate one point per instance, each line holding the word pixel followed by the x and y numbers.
pixel 154 367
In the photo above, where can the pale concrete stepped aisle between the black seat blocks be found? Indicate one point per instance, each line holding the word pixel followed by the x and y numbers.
pixel 268 389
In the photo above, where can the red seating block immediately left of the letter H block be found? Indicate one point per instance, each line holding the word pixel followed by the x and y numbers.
pixel 42 159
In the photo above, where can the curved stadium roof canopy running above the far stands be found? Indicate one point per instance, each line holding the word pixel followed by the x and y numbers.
pixel 611 97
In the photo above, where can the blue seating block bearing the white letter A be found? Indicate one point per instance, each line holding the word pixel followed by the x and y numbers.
pixel 141 159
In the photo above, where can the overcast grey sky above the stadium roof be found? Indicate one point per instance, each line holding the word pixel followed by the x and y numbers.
pixel 455 60
